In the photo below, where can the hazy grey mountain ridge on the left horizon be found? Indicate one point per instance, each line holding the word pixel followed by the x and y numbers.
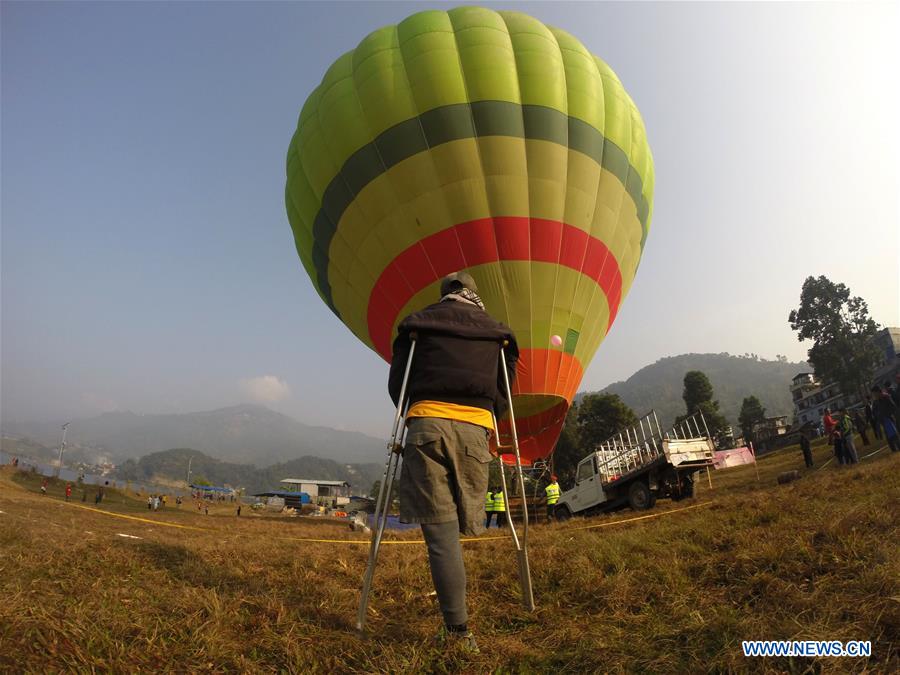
pixel 244 433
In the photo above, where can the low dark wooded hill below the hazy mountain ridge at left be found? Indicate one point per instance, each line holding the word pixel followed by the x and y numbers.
pixel 171 466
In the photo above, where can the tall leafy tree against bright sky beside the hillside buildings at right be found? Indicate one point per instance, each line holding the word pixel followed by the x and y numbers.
pixel 841 331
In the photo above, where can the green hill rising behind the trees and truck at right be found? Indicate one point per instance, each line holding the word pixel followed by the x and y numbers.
pixel 659 386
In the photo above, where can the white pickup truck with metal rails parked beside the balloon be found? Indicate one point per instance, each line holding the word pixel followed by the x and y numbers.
pixel 639 465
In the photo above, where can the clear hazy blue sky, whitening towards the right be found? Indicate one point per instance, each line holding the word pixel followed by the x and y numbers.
pixel 147 262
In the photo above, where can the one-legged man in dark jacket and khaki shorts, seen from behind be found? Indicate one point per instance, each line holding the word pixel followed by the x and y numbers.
pixel 455 386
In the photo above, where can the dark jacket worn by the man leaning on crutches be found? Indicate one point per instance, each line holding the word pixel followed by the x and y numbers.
pixel 457 357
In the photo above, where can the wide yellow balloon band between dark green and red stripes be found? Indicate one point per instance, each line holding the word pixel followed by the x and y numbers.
pixel 435 190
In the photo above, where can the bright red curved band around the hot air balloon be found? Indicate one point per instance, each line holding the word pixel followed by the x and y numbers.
pixel 482 241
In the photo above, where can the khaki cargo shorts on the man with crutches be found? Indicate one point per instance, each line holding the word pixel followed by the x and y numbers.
pixel 444 476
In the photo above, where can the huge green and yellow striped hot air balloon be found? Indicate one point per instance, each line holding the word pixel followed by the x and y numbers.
pixel 478 140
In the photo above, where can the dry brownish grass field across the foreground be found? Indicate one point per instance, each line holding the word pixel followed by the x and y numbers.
pixel 673 593
